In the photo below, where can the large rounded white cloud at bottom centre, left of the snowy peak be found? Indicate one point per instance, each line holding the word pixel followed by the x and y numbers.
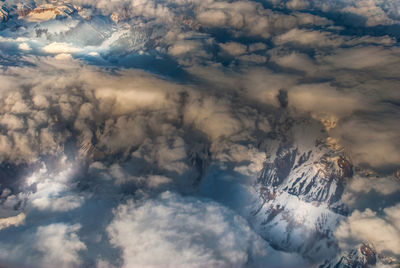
pixel 184 231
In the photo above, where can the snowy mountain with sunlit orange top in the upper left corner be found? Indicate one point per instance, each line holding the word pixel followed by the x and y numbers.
pixel 59 22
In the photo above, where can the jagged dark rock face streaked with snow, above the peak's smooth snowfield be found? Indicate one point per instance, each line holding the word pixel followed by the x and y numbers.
pixel 300 174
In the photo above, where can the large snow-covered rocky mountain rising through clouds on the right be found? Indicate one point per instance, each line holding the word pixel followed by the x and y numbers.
pixel 300 187
